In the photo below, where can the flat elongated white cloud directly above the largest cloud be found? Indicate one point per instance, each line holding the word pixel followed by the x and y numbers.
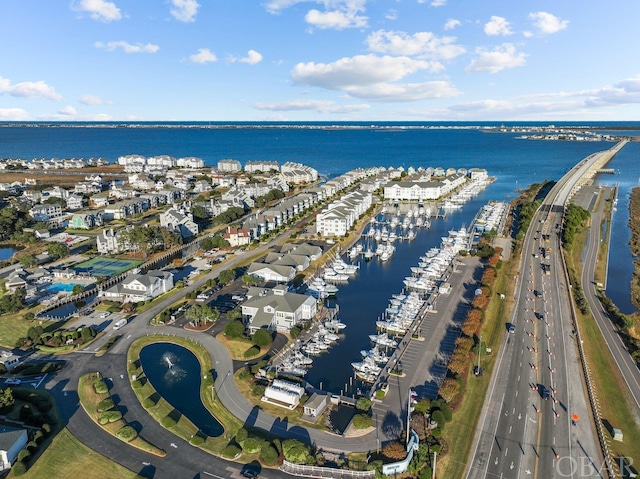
pixel 421 43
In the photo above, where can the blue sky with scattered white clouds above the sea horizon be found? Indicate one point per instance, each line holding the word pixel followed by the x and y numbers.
pixel 319 60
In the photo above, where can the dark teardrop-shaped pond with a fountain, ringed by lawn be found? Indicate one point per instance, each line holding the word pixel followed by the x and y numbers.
pixel 174 372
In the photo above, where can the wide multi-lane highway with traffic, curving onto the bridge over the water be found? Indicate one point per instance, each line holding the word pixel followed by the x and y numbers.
pixel 527 428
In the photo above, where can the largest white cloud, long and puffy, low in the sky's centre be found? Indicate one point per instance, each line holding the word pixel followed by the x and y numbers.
pixel 370 77
